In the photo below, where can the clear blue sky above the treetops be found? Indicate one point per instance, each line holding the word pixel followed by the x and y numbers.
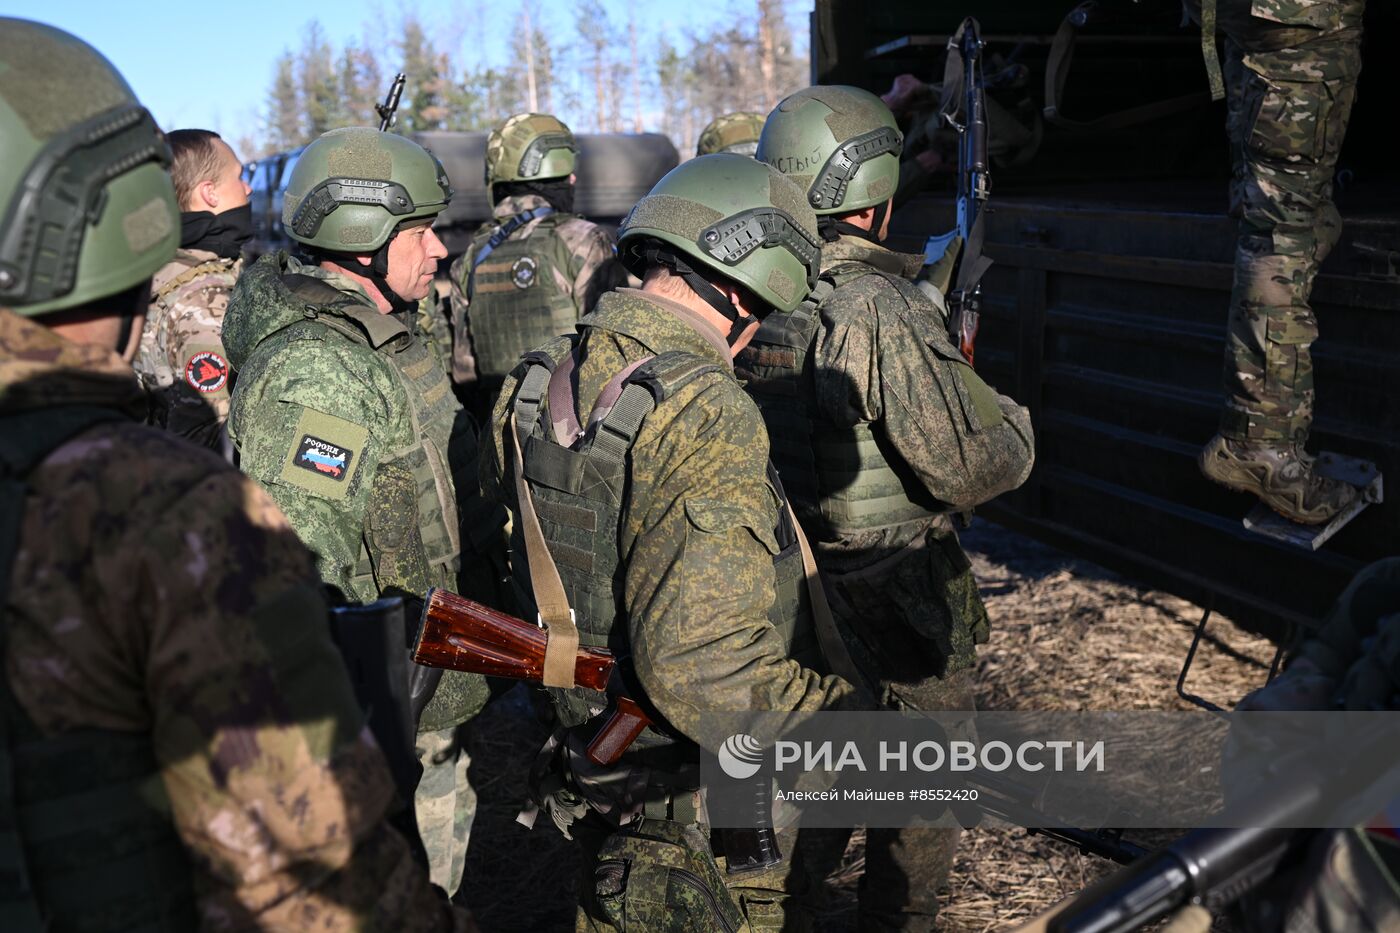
pixel 206 65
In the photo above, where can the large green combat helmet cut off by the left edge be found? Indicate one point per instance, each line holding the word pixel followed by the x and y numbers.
pixel 87 208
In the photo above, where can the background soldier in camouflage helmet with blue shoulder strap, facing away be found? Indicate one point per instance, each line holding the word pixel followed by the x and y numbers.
pixel 537 267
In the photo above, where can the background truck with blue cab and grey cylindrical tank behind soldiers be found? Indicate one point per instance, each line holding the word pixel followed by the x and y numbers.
pixel 614 172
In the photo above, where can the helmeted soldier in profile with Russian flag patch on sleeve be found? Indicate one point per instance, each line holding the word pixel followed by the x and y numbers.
pixel 346 417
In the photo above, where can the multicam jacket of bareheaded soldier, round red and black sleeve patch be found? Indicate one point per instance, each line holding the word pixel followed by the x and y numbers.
pixel 181 357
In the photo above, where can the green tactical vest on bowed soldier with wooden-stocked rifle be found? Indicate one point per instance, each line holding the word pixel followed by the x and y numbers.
pixel 579 483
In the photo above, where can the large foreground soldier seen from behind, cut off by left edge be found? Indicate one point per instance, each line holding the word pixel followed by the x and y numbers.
pixel 180 743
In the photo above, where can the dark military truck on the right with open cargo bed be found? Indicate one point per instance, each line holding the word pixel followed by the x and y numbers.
pixel 1105 312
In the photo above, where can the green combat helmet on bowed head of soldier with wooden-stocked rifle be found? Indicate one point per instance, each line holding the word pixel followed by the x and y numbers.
pixel 734 216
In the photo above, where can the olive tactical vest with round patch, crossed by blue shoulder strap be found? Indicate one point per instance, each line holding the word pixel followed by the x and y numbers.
pixel 514 296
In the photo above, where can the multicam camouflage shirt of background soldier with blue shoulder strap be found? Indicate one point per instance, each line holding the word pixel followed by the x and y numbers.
pixel 590 271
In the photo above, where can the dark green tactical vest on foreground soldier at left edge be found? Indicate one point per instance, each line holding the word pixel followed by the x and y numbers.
pixel 86 834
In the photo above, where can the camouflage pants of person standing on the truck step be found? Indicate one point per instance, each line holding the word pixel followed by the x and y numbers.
pixel 1291 78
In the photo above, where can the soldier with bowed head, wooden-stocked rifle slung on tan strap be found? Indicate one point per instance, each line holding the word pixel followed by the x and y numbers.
pixel 647 520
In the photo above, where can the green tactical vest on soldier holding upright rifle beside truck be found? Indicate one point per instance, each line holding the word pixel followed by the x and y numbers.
pixel 843 480
